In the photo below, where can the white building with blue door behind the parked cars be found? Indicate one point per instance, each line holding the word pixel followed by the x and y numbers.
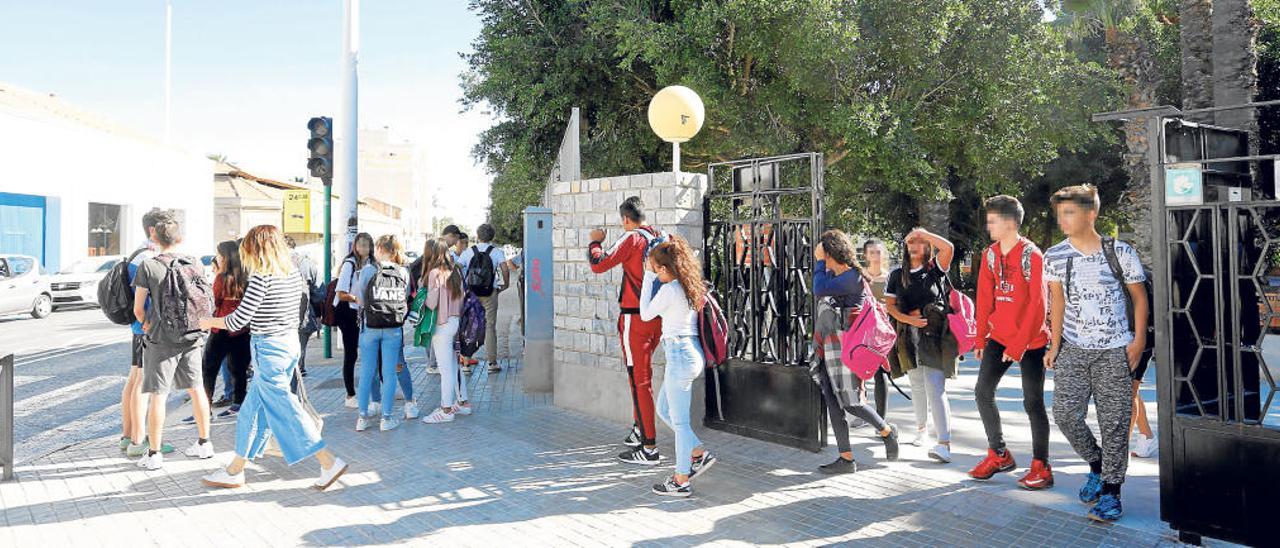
pixel 74 185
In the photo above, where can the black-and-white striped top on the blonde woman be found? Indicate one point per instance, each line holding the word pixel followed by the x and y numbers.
pixel 272 304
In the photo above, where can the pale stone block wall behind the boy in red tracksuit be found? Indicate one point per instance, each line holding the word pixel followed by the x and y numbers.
pixel 589 373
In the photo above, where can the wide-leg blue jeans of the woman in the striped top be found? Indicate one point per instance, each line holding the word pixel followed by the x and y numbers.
pixel 271 409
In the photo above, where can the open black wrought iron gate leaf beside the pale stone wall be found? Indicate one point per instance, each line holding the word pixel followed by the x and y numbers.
pixel 762 217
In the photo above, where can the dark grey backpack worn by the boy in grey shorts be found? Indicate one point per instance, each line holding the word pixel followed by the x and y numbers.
pixel 188 298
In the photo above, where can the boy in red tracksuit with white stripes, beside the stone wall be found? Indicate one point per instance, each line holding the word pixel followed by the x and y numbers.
pixel 639 339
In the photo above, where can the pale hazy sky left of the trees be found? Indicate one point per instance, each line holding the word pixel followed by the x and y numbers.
pixel 248 75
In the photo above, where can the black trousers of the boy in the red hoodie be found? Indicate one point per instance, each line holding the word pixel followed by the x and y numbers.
pixel 1032 367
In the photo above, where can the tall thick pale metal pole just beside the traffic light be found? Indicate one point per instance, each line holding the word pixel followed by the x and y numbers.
pixel 348 125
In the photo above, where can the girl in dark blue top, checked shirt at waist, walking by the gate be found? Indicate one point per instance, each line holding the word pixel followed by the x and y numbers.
pixel 838 282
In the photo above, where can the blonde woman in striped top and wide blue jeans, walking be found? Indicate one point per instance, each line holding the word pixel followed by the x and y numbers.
pixel 272 309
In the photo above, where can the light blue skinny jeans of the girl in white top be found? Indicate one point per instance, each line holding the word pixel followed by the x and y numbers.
pixel 684 364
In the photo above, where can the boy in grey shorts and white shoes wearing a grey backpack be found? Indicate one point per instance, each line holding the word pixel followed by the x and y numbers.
pixel 168 364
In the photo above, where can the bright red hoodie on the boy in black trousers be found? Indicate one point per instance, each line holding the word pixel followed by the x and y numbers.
pixel 1011 308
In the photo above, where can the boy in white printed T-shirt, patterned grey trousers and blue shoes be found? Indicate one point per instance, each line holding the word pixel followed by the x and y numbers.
pixel 1094 349
